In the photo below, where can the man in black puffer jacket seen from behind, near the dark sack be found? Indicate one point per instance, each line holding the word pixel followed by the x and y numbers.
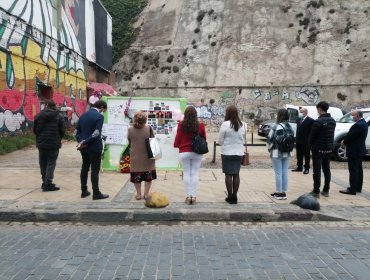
pixel 320 142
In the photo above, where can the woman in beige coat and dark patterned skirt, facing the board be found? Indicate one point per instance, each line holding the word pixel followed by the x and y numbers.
pixel 142 168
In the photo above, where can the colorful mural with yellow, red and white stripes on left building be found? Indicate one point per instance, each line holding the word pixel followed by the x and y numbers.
pixel 36 53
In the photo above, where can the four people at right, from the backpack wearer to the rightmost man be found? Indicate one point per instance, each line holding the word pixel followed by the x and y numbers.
pixel 315 138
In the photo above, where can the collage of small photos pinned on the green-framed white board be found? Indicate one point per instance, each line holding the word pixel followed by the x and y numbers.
pixel 160 117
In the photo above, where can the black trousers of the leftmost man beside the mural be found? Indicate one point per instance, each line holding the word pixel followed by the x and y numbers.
pixel 48 162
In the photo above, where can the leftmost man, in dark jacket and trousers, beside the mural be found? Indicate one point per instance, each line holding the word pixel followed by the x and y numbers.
pixel 49 128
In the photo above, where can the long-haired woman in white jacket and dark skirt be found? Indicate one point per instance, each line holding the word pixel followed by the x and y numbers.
pixel 232 140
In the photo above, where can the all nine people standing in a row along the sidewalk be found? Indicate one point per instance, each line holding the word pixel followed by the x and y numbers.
pixel 313 136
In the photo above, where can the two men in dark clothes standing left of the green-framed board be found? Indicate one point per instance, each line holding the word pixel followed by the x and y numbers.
pixel 49 128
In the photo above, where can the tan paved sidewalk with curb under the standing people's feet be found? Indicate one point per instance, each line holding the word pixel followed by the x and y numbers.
pixel 21 197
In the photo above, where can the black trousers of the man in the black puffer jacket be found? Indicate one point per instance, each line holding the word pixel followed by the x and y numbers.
pixel 321 161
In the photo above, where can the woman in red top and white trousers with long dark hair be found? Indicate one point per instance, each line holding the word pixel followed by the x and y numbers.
pixel 191 161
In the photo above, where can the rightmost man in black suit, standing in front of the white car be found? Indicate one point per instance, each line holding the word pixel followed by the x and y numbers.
pixel 355 150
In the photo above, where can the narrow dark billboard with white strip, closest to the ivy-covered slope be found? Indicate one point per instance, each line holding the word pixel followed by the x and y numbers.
pixel 103 36
